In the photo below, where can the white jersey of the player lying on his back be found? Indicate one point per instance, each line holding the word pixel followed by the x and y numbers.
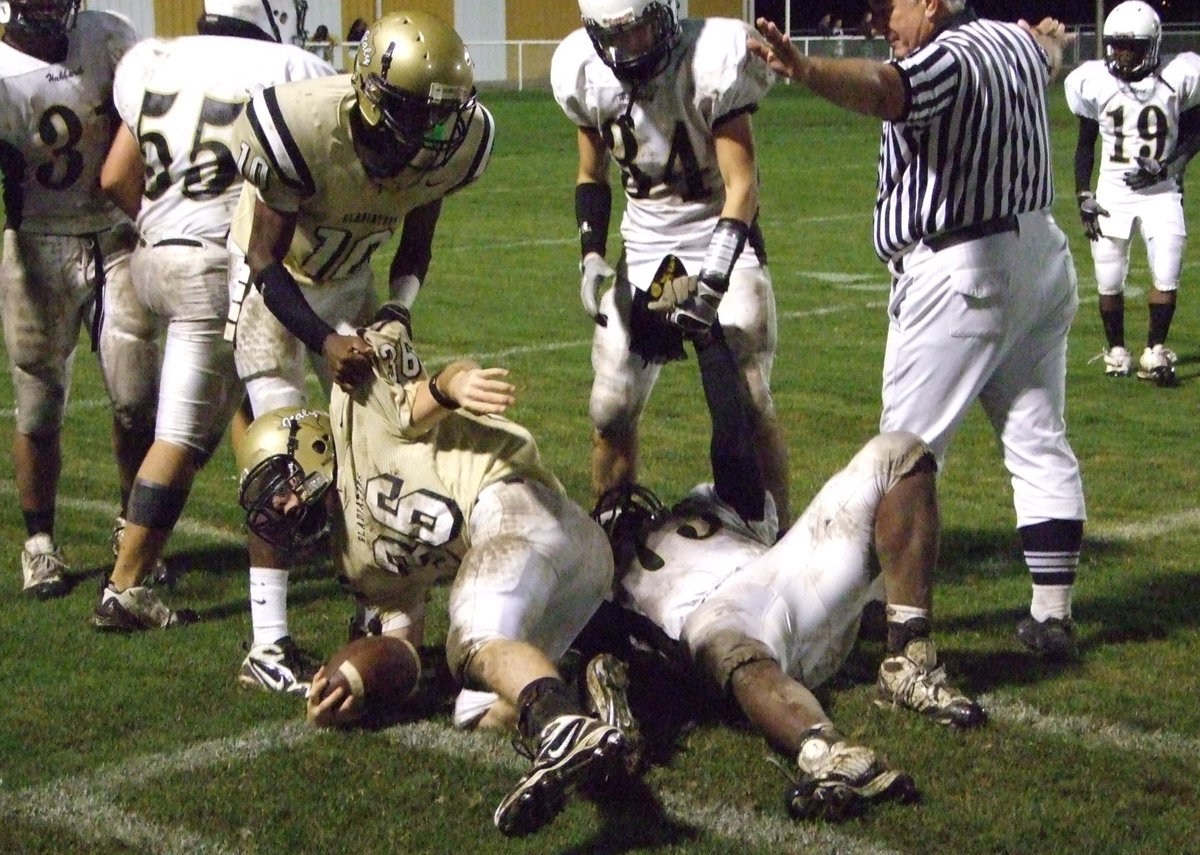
pixel 698 547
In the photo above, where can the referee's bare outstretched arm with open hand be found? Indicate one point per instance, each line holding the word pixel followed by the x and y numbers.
pixel 862 86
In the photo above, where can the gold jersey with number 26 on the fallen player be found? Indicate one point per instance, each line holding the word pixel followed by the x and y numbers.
pixel 407 498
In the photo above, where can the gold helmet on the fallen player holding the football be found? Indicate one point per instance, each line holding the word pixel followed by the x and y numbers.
pixel 287 467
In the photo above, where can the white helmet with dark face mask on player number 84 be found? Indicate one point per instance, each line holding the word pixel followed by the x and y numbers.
pixel 634 38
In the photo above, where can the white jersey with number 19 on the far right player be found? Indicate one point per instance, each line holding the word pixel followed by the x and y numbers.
pixel 1137 118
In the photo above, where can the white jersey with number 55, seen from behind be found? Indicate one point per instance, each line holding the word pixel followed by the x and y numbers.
pixel 181 99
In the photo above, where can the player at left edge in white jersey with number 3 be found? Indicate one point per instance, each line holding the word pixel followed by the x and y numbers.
pixel 67 253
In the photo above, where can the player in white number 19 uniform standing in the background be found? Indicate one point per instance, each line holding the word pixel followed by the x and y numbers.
pixel 1147 117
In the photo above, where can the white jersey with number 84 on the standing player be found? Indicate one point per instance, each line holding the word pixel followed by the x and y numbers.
pixel 662 135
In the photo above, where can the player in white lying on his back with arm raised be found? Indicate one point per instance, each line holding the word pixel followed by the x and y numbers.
pixel 769 623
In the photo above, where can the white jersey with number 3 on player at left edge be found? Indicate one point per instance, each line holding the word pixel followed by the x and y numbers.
pixel 56 129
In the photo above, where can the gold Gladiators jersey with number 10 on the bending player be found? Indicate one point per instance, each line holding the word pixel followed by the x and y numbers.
pixel 295 147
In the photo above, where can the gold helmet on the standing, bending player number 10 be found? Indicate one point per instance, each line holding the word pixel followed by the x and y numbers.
pixel 415 77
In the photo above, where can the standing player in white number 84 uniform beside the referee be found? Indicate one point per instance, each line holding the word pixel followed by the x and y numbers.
pixel 670 103
